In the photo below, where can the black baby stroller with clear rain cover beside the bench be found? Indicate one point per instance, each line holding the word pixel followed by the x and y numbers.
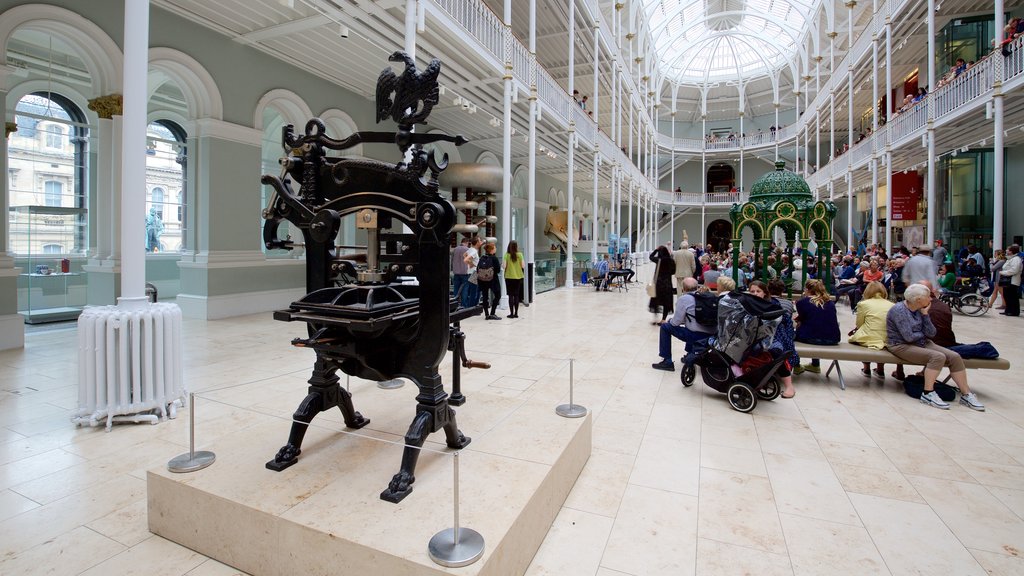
pixel 740 361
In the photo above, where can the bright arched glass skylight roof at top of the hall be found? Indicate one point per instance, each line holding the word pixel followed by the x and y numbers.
pixel 702 42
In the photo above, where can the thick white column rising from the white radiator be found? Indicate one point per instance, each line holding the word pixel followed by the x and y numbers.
pixel 137 68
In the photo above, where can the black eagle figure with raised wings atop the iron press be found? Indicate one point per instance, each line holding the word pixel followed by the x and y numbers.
pixel 408 99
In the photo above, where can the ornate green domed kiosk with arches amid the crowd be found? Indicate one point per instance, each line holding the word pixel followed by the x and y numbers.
pixel 784 199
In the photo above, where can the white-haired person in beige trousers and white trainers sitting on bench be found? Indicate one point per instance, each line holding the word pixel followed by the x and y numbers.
pixel 909 337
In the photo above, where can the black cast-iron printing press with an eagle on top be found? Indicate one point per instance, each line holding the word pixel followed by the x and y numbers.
pixel 362 319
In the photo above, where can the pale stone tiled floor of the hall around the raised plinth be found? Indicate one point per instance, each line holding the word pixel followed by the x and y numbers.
pixel 866 481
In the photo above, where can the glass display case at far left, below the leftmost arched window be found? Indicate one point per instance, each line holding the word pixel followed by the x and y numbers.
pixel 46 241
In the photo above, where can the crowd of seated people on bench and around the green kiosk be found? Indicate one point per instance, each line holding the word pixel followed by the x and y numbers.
pixel 918 330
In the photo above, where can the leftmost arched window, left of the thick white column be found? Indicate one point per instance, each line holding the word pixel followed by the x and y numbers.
pixel 48 160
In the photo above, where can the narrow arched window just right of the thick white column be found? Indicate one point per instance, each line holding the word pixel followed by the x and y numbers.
pixel 165 178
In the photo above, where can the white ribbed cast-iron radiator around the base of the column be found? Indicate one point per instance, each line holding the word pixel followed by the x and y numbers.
pixel 130 364
